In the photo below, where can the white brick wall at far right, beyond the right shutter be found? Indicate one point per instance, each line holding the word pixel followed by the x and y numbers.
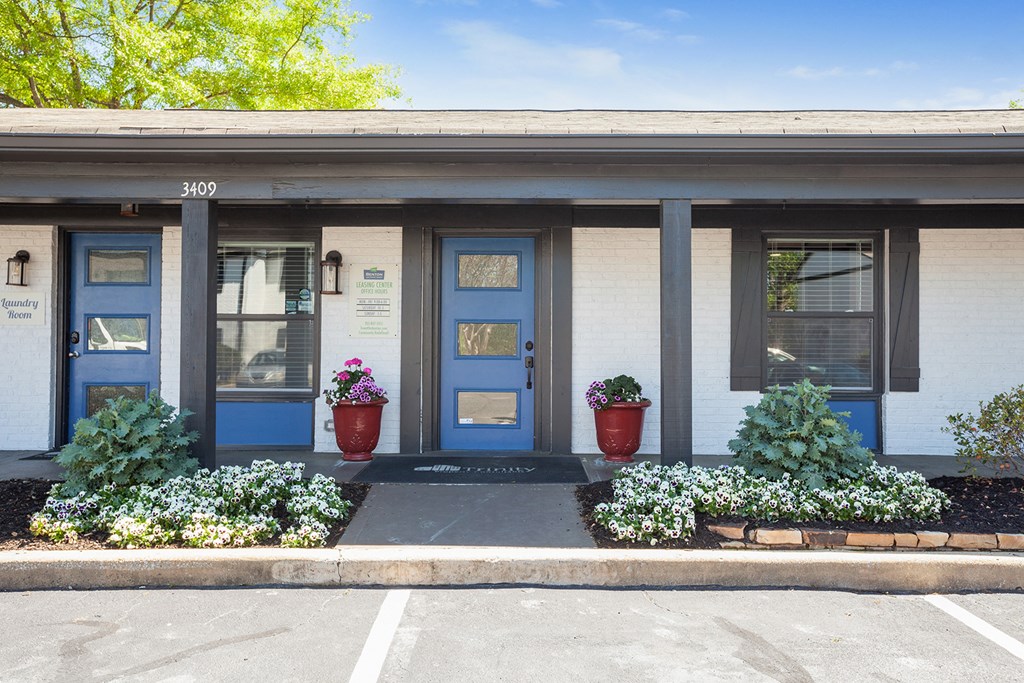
pixel 972 334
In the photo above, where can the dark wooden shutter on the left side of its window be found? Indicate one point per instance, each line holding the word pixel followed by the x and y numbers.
pixel 748 311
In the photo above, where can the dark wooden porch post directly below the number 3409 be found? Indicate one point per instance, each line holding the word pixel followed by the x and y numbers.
pixel 199 324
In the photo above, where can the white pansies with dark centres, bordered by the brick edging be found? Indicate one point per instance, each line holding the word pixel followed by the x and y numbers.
pixel 654 503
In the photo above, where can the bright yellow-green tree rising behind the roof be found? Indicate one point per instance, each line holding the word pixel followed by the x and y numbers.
pixel 185 54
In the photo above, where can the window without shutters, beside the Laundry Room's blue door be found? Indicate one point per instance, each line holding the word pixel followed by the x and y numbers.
pixel 266 325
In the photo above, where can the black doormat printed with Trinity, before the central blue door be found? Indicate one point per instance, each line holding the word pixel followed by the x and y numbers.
pixel 474 469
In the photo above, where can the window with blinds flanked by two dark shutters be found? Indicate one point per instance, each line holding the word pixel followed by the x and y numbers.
pixel 822 313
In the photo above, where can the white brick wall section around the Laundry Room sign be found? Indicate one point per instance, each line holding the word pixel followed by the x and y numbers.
pixel 27 373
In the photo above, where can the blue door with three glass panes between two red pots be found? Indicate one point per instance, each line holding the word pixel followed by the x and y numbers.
pixel 487 345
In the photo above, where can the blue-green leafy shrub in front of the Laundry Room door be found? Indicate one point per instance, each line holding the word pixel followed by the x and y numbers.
pixel 130 442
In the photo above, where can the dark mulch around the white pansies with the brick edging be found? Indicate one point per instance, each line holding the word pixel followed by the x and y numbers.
pixel 979 506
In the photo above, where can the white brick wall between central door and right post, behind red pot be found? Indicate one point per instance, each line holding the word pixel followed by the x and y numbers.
pixel 616 323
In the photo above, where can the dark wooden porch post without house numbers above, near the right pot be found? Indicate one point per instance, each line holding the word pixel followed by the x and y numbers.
pixel 677 330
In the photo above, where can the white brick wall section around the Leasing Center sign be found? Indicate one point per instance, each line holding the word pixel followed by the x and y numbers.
pixel 383 356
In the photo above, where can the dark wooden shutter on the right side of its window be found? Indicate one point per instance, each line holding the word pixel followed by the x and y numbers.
pixel 905 311
